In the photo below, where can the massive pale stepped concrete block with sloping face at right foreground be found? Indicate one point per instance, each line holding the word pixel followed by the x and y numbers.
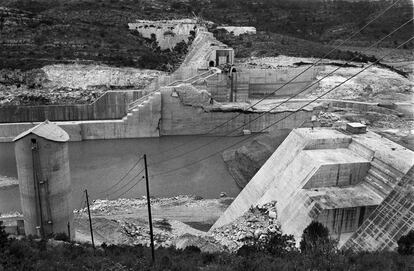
pixel 331 176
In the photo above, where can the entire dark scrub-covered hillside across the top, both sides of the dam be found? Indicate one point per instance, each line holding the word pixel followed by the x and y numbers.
pixel 39 32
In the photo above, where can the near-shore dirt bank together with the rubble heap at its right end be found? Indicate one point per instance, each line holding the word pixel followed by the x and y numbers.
pixel 179 221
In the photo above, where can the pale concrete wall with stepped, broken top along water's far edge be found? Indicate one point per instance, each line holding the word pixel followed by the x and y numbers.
pixel 178 110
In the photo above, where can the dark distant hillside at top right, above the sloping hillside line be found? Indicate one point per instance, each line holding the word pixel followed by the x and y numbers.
pixel 321 21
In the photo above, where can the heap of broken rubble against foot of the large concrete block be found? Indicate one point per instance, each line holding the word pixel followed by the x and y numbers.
pixel 256 224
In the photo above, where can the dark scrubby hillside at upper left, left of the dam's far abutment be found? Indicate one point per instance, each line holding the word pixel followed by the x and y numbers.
pixel 38 33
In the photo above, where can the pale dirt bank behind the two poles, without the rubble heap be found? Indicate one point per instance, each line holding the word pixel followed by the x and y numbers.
pixel 125 221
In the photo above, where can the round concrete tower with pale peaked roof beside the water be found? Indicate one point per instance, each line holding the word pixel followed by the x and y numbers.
pixel 44 180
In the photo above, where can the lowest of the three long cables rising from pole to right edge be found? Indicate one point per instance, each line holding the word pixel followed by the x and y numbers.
pixel 274 123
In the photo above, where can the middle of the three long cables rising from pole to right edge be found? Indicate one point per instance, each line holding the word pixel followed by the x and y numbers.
pixel 283 102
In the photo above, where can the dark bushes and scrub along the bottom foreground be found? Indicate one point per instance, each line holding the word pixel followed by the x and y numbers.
pixel 277 253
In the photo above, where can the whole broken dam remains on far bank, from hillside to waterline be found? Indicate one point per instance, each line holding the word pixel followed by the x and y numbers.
pixel 163 107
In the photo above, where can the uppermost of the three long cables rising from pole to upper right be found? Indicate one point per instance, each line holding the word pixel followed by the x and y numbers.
pixel 291 80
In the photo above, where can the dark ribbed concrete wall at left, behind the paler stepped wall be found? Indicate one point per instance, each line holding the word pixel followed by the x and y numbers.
pixel 111 105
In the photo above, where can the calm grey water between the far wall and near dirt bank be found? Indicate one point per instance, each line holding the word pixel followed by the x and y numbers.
pixel 97 165
